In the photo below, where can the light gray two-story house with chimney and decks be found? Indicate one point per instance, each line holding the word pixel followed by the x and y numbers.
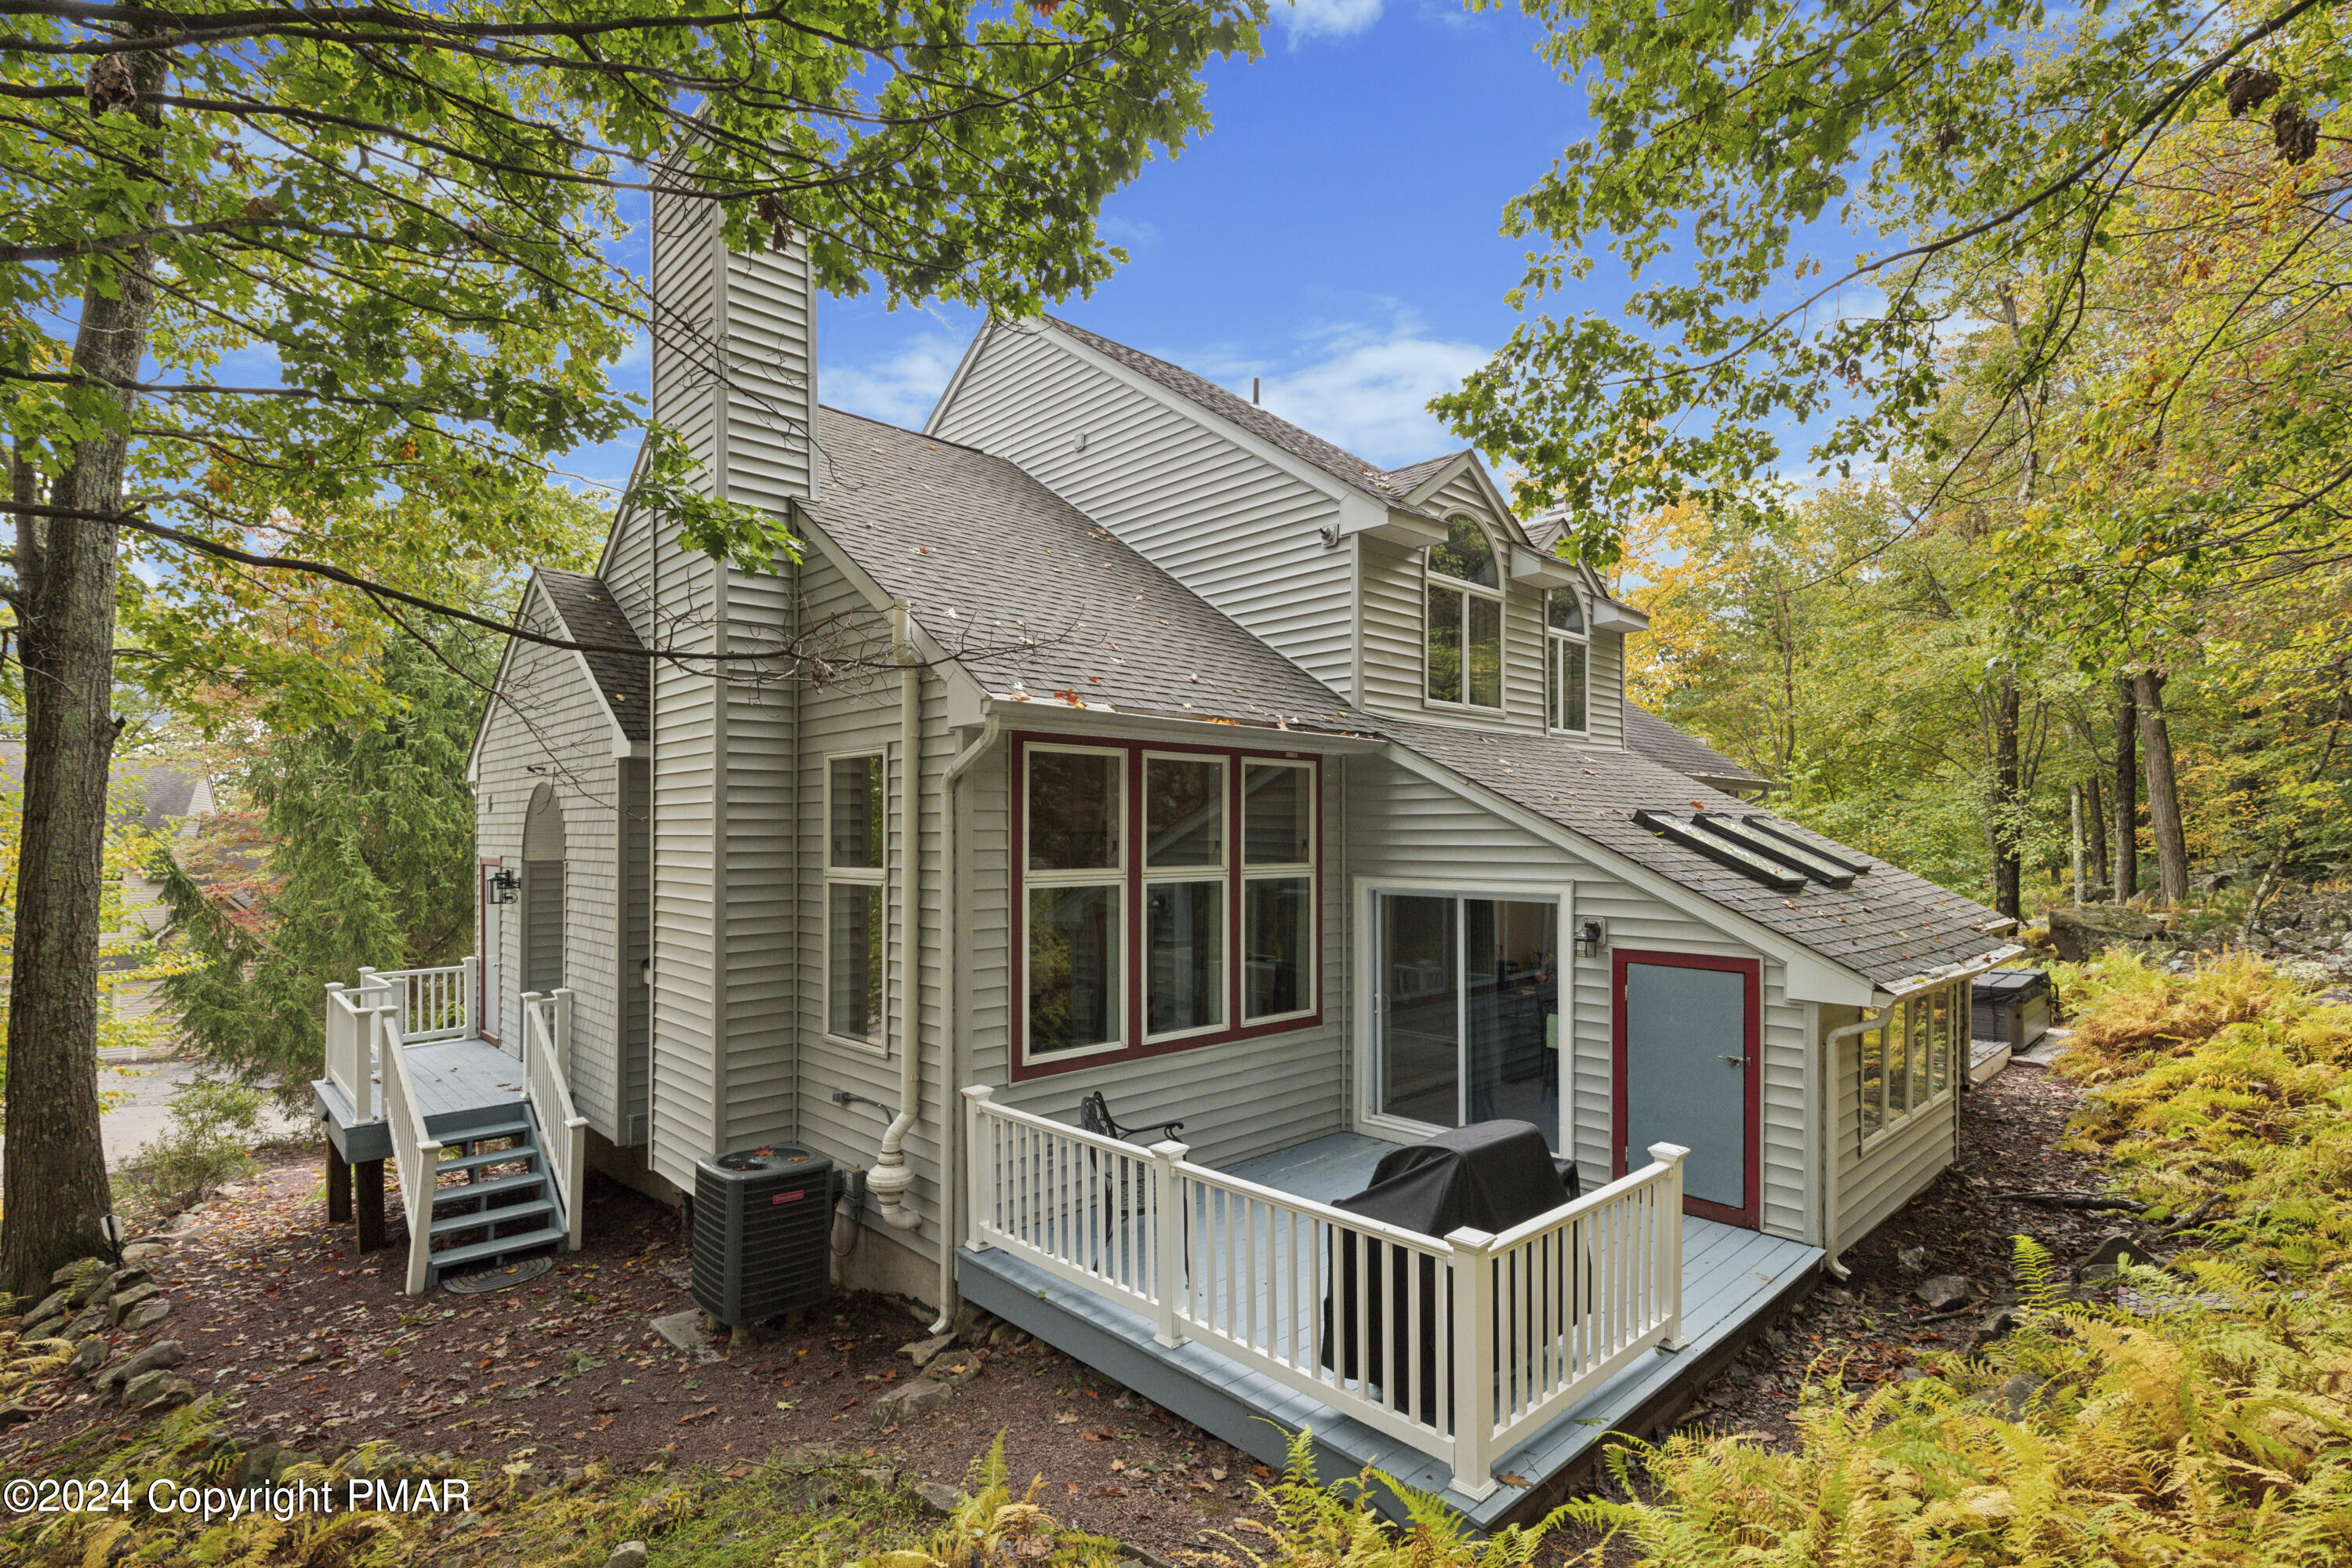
pixel 1118 737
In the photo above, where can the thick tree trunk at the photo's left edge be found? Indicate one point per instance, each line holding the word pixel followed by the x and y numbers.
pixel 58 1186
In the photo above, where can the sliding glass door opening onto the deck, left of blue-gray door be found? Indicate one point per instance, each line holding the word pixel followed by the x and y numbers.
pixel 1469 1012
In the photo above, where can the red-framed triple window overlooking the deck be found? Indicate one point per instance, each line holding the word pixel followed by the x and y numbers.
pixel 1163 899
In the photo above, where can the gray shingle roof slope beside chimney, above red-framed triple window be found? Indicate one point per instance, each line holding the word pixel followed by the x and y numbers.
pixel 1034 598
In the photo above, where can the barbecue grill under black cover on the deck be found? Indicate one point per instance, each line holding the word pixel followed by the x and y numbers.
pixel 1485 1177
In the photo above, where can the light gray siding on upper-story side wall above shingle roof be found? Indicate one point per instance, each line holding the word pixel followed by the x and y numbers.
pixel 1234 528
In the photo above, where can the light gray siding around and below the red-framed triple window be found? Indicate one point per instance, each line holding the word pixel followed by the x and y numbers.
pixel 1236 1099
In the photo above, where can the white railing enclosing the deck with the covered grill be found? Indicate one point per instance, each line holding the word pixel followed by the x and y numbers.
pixel 1459 1346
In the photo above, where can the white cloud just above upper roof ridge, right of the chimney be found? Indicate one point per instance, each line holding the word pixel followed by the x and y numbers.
pixel 1368 387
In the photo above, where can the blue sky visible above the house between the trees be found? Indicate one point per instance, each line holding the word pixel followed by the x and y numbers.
pixel 1335 234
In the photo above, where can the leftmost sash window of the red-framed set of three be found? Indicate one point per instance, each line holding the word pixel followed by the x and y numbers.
pixel 1076 887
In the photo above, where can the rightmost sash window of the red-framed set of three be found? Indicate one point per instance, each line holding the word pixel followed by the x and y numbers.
pixel 1278 890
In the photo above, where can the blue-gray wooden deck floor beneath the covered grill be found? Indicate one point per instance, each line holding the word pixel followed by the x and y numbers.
pixel 1735 1285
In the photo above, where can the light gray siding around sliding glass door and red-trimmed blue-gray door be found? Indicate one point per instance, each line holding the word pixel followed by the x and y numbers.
pixel 1408 829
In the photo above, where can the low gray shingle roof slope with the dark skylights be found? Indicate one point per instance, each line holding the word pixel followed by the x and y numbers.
pixel 1887 927
